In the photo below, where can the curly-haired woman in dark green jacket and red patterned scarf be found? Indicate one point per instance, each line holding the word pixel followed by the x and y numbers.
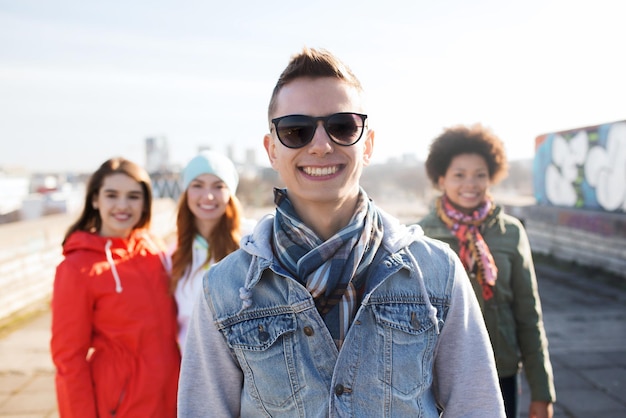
pixel 463 163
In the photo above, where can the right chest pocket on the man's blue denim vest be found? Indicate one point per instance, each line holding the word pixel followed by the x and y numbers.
pixel 406 339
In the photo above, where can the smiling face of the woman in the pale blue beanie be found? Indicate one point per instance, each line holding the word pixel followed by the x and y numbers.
pixel 207 198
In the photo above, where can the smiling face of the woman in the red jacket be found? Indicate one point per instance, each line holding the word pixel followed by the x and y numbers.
pixel 120 202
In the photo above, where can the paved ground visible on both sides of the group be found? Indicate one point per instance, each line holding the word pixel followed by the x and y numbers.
pixel 585 319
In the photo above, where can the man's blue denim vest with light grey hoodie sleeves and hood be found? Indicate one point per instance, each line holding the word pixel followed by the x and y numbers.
pixel 257 345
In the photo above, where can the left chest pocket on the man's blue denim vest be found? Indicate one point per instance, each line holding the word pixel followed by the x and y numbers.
pixel 264 347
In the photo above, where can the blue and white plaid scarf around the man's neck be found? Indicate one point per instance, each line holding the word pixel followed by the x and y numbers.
pixel 330 270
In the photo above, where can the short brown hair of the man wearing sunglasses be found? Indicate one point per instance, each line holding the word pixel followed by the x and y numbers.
pixel 313 63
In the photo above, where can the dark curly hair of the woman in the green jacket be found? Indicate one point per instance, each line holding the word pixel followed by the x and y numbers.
pixel 457 140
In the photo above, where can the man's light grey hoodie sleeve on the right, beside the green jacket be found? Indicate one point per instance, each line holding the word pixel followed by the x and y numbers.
pixel 465 379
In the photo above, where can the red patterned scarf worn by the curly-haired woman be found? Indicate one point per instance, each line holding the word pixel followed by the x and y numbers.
pixel 474 252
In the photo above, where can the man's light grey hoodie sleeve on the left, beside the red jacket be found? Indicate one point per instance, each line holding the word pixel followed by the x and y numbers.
pixel 210 378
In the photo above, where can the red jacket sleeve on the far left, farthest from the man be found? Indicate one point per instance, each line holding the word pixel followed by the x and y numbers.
pixel 72 315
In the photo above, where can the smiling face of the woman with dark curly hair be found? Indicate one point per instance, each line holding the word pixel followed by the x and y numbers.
pixel 466 182
